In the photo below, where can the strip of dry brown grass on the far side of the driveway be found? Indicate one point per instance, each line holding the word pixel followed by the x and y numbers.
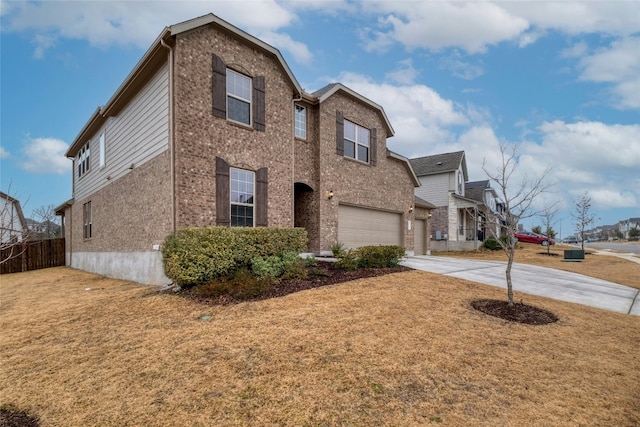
pixel 604 267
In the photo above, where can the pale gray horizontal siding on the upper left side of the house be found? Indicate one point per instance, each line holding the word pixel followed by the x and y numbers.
pixel 136 135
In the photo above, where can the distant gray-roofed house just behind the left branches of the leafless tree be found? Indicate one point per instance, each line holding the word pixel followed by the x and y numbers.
pixel 490 209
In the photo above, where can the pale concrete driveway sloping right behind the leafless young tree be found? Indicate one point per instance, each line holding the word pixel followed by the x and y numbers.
pixel 548 282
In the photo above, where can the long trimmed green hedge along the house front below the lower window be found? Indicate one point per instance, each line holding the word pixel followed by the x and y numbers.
pixel 198 255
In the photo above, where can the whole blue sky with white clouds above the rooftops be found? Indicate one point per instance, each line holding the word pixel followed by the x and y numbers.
pixel 560 78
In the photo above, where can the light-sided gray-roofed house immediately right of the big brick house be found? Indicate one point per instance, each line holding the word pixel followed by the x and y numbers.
pixel 454 221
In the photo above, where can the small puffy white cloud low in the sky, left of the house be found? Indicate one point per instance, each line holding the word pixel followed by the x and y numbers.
pixel 45 155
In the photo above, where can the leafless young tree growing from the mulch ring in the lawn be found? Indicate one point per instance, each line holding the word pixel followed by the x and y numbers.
pixel 518 200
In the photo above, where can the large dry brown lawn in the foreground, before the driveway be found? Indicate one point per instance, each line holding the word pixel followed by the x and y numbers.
pixel 406 349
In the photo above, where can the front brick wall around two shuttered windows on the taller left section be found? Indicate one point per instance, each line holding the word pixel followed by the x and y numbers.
pixel 200 137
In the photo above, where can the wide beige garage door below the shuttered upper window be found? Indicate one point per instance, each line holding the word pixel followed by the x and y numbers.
pixel 361 227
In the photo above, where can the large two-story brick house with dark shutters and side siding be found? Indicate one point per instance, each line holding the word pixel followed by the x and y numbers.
pixel 212 128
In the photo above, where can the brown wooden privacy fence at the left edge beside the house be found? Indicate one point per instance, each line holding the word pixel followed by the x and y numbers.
pixel 27 256
